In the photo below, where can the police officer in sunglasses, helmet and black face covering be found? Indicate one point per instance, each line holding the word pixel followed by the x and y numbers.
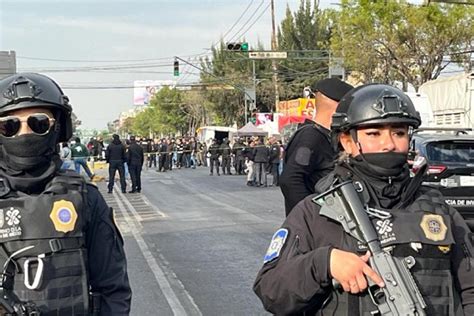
pixel 61 252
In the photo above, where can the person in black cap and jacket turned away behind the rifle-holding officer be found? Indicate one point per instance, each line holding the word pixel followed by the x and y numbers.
pixel 309 155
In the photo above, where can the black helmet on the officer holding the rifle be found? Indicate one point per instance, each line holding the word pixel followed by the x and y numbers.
pixel 374 104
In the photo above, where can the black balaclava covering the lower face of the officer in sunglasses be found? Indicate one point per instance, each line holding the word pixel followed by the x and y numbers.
pixel 29 160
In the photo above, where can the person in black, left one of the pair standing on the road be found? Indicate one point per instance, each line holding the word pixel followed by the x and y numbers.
pixel 116 157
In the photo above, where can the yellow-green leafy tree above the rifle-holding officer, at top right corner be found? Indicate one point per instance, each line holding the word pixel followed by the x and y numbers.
pixel 386 41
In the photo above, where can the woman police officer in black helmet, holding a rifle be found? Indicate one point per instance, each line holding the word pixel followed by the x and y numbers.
pixel 309 252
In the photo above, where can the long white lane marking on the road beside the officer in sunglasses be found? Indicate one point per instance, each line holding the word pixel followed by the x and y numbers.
pixel 158 273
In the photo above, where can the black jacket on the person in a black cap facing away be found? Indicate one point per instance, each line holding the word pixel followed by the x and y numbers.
pixel 309 156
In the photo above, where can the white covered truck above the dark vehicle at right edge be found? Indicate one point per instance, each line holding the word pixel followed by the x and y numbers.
pixel 452 100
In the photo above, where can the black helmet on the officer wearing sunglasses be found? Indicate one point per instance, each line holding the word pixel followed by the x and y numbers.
pixel 28 90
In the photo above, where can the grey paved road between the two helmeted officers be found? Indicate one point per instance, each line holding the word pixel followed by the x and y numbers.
pixel 194 242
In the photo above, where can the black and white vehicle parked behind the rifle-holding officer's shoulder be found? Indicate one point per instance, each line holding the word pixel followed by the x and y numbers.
pixel 449 154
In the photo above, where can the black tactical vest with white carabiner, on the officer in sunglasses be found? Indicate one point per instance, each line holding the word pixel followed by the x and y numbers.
pixel 43 247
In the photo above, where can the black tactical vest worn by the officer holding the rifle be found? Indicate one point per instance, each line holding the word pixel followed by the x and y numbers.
pixel 422 230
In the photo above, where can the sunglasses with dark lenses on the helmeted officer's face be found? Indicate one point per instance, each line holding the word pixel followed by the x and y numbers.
pixel 39 123
